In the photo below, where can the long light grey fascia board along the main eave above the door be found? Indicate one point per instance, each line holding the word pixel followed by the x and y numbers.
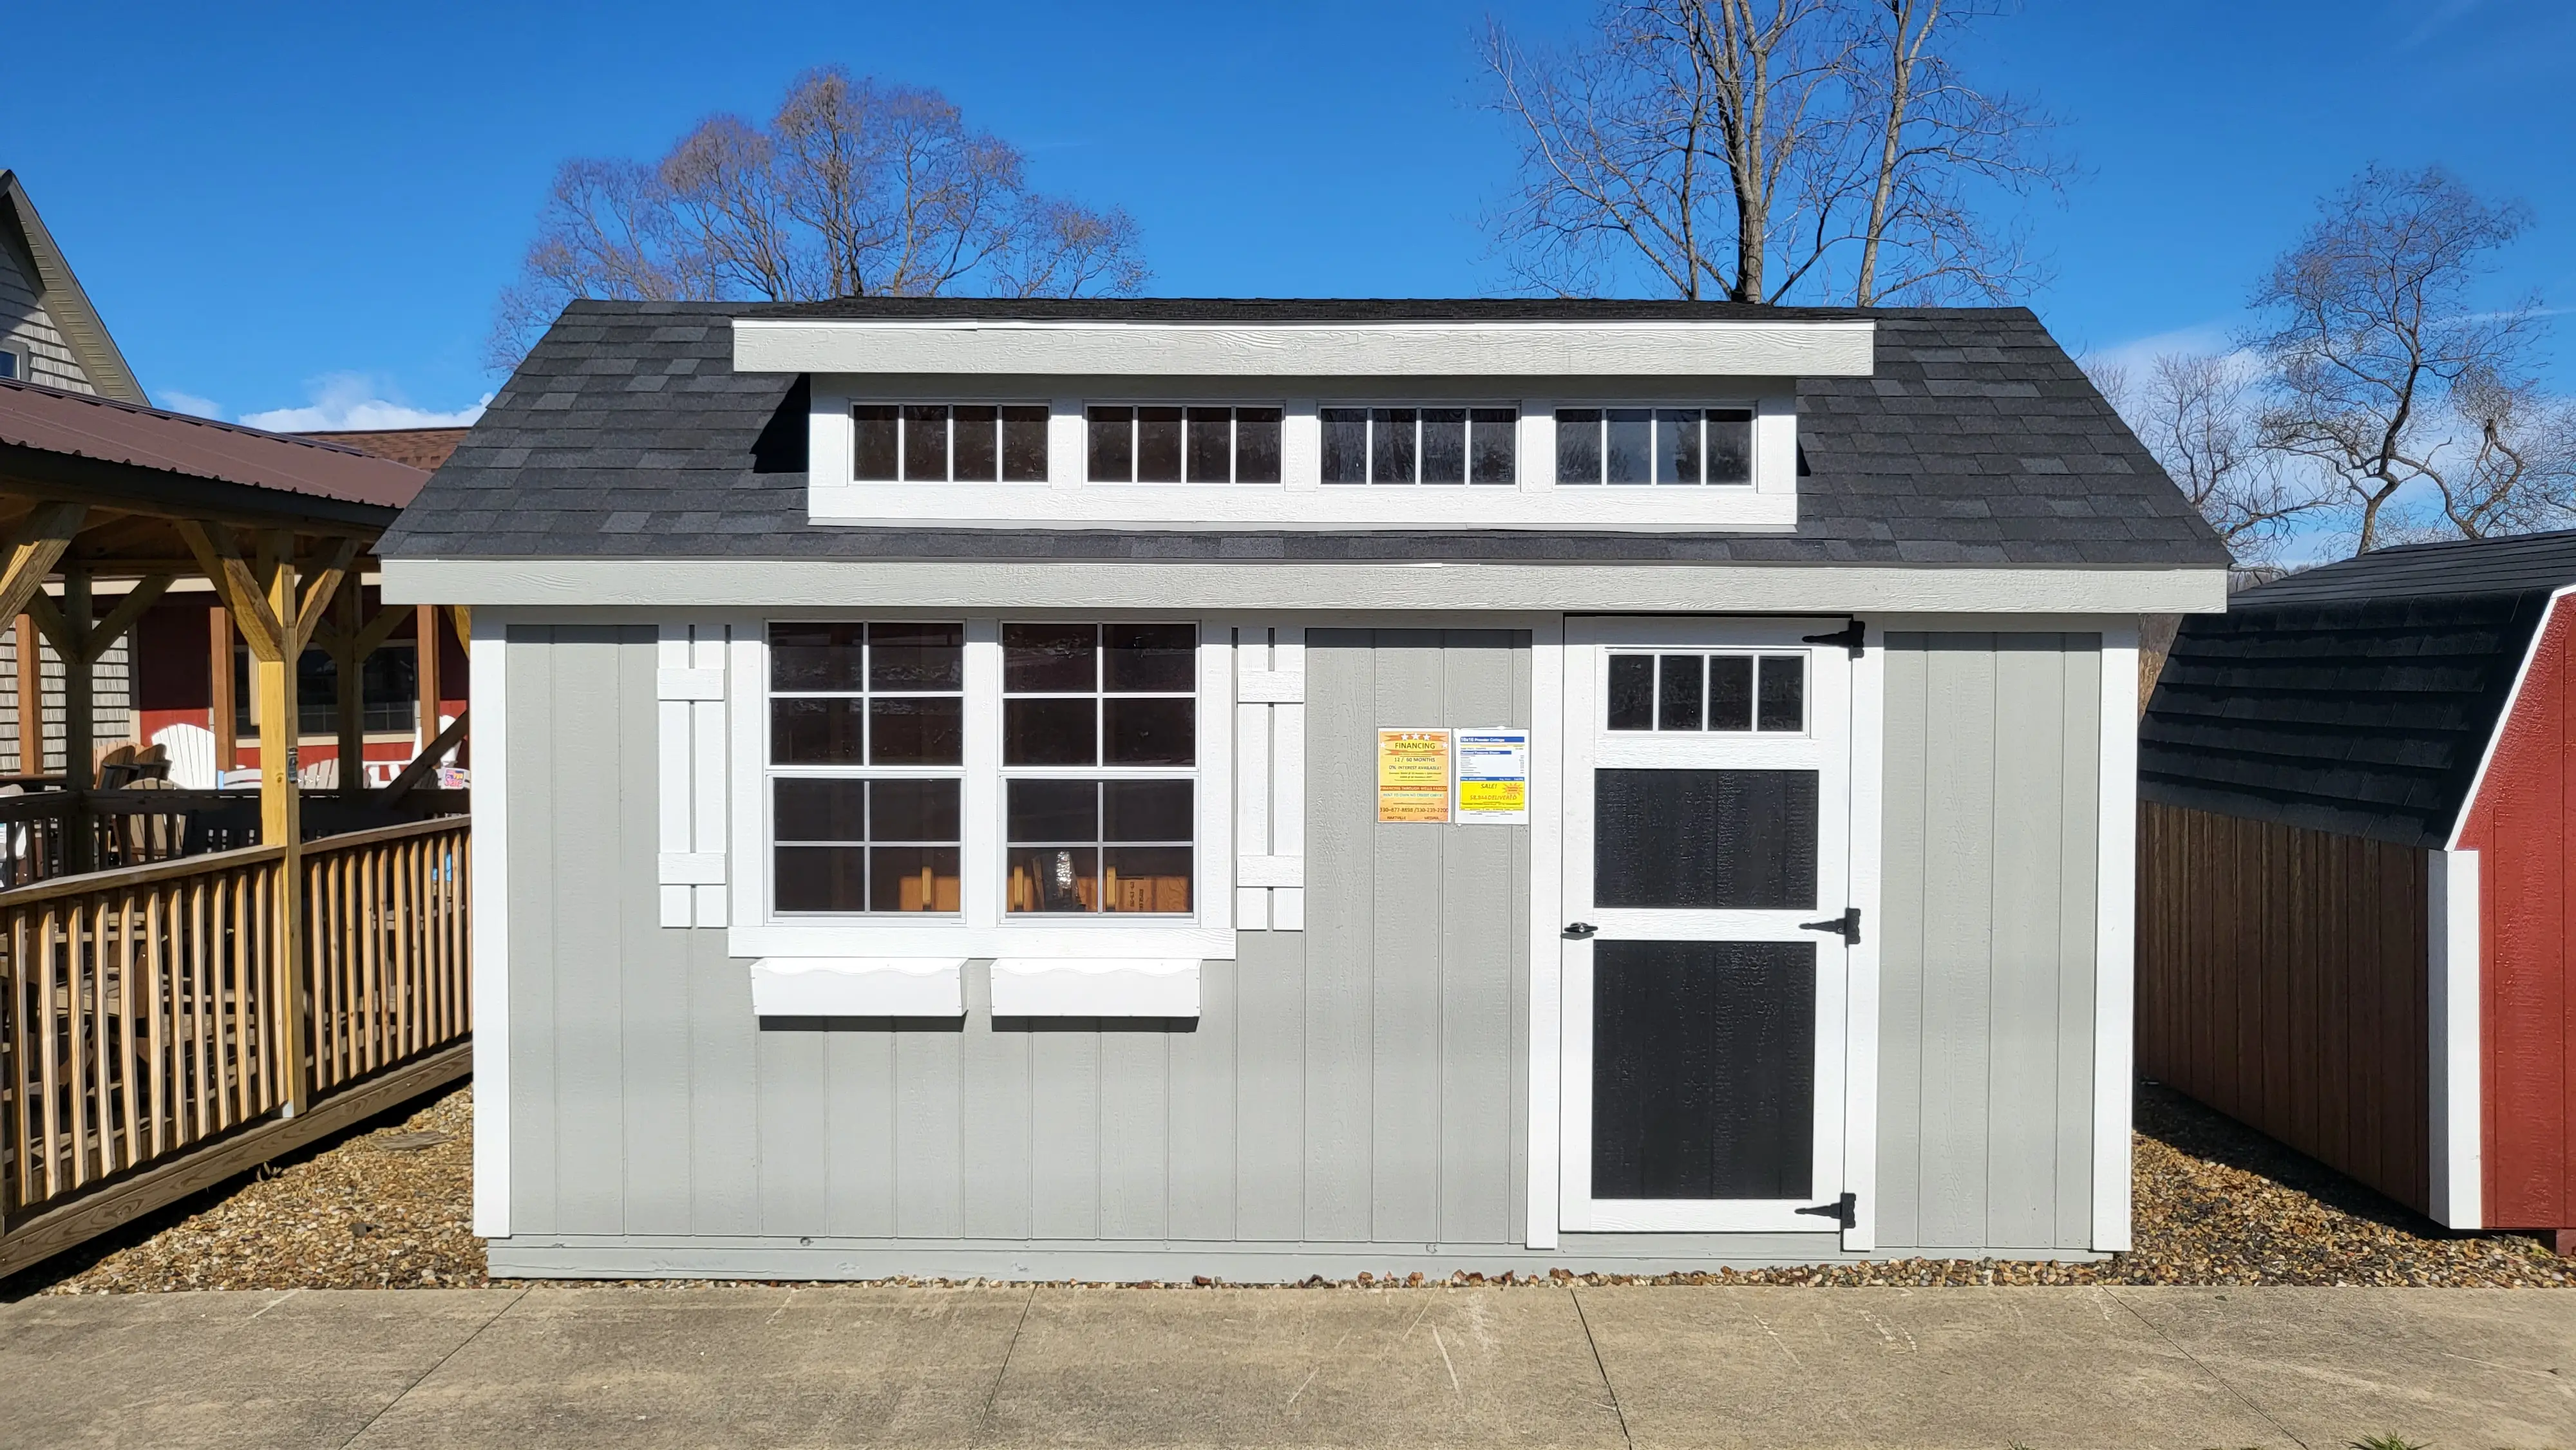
pixel 1333 588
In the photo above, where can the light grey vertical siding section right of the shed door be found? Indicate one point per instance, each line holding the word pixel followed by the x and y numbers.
pixel 1987 975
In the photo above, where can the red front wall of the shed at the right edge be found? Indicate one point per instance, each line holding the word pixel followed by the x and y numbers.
pixel 2521 825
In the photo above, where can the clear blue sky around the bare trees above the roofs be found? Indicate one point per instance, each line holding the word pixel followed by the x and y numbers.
pixel 313 207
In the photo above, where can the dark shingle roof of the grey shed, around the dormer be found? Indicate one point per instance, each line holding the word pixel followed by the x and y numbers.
pixel 1977 442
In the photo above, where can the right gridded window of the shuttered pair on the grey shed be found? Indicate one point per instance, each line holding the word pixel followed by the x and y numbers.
pixel 1099 769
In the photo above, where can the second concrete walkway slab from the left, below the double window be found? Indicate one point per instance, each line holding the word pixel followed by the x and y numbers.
pixel 717 1366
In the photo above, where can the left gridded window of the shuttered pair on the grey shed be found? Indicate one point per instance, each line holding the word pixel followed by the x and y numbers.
pixel 867 751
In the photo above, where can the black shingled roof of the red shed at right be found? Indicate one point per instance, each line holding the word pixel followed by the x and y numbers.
pixel 2358 697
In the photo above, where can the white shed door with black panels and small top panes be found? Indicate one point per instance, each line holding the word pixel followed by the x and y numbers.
pixel 1709 777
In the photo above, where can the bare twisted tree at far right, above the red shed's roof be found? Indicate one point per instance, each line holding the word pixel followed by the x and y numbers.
pixel 2387 380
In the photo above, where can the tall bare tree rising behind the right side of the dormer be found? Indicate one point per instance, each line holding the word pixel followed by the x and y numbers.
pixel 1761 151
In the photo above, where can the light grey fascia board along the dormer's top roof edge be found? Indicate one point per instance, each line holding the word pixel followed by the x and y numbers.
pixel 1307 349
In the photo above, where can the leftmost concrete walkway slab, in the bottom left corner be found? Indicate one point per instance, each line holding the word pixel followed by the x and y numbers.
pixel 282 1369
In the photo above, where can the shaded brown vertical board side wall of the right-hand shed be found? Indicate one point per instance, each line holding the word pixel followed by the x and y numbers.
pixel 2284 983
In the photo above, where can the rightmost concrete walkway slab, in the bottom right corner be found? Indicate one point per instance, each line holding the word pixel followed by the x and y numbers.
pixel 2448 1366
